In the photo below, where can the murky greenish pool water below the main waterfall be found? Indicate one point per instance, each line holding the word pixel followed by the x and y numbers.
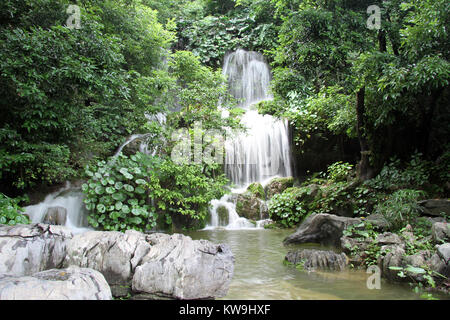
pixel 260 273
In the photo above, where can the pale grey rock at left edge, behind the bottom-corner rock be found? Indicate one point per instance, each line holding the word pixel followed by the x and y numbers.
pixel 28 249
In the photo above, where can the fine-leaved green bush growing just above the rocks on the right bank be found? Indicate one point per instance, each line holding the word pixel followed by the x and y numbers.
pixel 401 208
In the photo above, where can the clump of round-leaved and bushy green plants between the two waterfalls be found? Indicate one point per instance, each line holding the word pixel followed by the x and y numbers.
pixel 133 192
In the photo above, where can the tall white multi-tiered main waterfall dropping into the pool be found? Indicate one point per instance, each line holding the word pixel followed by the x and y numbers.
pixel 263 151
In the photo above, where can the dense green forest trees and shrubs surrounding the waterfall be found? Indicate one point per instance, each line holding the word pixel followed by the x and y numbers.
pixel 375 98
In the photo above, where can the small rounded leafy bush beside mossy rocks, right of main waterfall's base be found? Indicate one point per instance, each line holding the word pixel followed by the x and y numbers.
pixel 287 209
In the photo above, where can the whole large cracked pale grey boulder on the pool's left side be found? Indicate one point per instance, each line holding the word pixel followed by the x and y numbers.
pixel 156 264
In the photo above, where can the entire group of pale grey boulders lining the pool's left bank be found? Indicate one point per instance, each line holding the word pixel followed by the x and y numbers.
pixel 102 265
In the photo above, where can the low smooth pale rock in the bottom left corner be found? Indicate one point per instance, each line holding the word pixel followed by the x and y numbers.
pixel 72 283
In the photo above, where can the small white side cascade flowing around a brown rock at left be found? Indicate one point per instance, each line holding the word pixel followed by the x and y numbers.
pixel 69 198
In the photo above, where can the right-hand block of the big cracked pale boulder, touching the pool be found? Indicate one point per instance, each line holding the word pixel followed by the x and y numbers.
pixel 180 267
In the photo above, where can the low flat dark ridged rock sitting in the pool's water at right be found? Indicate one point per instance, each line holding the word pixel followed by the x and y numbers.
pixel 318 259
